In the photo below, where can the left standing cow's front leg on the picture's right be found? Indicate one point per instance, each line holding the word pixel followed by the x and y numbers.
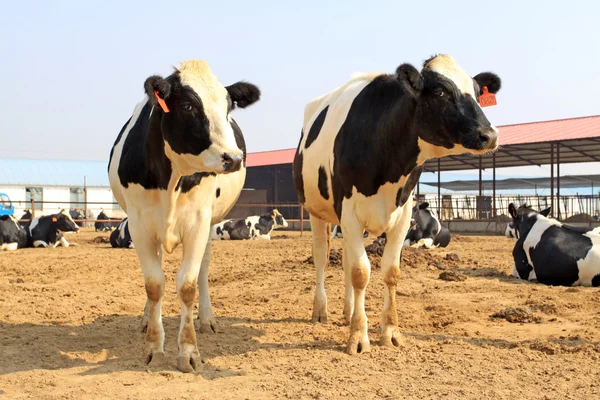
pixel 194 245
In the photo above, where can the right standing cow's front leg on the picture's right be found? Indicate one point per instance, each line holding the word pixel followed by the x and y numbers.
pixel 390 269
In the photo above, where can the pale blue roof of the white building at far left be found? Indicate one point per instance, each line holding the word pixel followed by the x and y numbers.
pixel 32 172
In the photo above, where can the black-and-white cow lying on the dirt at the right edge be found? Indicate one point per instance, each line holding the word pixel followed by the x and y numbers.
pixel 554 253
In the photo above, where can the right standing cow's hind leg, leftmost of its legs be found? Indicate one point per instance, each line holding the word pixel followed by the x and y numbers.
pixel 321 243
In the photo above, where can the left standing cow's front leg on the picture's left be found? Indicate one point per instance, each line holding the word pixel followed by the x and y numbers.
pixel 148 252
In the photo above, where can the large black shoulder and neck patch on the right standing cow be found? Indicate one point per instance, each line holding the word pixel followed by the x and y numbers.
pixel 377 142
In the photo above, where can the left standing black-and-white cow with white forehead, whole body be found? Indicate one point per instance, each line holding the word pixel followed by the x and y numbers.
pixel 176 168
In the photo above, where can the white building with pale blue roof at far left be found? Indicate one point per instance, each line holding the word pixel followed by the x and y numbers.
pixel 47 186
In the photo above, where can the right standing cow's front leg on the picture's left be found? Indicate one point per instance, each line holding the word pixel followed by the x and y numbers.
pixel 360 269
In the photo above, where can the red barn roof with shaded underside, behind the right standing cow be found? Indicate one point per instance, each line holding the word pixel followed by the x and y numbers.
pixel 521 145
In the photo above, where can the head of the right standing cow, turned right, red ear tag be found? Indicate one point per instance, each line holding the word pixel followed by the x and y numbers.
pixel 448 115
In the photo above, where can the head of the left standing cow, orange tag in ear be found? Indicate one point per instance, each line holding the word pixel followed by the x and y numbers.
pixel 193 107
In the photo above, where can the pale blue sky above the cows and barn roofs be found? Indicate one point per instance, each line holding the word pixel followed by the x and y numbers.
pixel 73 70
